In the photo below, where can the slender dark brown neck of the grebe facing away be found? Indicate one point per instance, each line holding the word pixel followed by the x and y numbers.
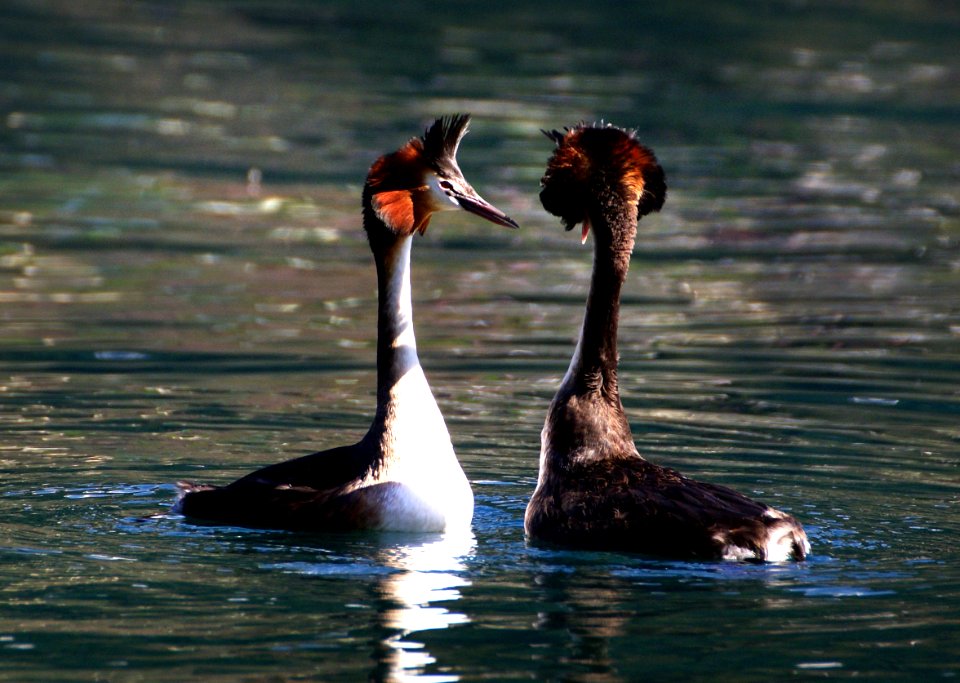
pixel 594 366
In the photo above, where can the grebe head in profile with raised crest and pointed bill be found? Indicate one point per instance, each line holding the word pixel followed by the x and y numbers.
pixel 405 188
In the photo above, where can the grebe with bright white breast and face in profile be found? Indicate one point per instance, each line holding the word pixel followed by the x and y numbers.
pixel 403 474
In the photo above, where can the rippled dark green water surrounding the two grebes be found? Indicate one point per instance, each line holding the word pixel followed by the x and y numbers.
pixel 185 293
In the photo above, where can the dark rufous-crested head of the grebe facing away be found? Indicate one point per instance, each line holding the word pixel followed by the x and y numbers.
pixel 592 160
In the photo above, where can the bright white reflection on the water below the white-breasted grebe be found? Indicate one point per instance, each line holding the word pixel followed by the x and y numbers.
pixel 429 573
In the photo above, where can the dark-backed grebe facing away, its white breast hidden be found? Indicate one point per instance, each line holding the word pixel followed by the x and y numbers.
pixel 594 490
